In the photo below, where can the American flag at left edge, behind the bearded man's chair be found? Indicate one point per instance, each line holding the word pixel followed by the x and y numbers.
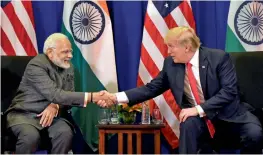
pixel 18 37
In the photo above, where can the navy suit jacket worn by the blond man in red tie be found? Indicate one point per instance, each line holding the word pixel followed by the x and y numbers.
pixel 218 81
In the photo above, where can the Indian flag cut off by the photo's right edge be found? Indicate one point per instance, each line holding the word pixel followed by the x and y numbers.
pixel 245 26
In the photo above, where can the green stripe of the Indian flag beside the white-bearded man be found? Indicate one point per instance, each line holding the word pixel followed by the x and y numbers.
pixel 85 81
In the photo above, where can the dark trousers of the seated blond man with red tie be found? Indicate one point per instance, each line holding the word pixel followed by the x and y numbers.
pixel 194 133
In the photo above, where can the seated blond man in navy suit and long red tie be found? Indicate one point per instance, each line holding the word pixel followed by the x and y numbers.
pixel 204 84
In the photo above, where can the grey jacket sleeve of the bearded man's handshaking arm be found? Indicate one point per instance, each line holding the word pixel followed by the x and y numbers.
pixel 37 76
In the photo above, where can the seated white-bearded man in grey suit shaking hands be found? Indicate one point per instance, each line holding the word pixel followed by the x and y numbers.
pixel 44 97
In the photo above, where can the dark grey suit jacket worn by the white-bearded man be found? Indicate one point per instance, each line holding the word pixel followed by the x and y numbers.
pixel 43 83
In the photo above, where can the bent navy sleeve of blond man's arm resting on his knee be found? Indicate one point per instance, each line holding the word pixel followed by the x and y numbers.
pixel 228 92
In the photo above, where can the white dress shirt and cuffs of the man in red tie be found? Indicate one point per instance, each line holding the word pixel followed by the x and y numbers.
pixel 122 97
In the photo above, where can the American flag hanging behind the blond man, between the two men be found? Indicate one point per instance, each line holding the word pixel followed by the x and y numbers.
pixel 159 18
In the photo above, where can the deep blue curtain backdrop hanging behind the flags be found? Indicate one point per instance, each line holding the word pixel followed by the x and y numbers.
pixel 127 20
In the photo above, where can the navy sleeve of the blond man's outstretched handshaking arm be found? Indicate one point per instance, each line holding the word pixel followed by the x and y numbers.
pixel 156 87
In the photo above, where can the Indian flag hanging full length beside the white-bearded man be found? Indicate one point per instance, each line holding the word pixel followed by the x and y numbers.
pixel 87 24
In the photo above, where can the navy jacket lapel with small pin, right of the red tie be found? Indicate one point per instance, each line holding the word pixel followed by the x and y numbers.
pixel 203 64
